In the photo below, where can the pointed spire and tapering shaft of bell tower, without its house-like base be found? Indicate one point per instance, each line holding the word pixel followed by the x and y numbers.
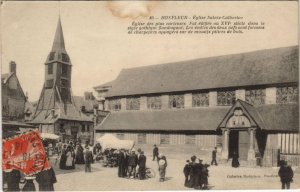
pixel 58 69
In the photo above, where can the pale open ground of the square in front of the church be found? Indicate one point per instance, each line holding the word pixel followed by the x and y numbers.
pixel 222 176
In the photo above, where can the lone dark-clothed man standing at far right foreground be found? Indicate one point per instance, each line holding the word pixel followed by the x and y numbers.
pixel 286 175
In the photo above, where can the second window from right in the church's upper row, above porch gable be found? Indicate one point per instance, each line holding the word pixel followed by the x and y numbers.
pixel 256 96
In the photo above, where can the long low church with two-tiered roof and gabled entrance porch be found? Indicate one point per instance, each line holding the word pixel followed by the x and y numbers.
pixel 244 103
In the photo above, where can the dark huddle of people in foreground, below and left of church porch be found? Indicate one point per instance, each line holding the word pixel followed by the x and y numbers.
pixel 196 174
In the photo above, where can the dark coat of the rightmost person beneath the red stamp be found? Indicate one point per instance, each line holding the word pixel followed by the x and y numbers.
pixel 46 179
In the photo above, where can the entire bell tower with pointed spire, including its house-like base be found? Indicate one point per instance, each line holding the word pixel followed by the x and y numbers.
pixel 56 111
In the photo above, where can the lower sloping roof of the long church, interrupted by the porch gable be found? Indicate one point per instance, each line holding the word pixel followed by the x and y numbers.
pixel 277 117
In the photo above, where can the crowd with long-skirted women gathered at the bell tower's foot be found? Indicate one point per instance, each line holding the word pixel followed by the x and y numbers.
pixel 71 155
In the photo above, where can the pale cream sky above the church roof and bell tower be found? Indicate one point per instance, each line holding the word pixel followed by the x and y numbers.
pixel 99 47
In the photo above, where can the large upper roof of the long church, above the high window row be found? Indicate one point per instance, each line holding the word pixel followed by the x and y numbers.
pixel 262 67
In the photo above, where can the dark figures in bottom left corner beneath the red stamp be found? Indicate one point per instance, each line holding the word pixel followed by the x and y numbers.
pixel 45 179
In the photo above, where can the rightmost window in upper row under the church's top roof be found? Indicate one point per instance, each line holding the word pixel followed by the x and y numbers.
pixel 287 94
